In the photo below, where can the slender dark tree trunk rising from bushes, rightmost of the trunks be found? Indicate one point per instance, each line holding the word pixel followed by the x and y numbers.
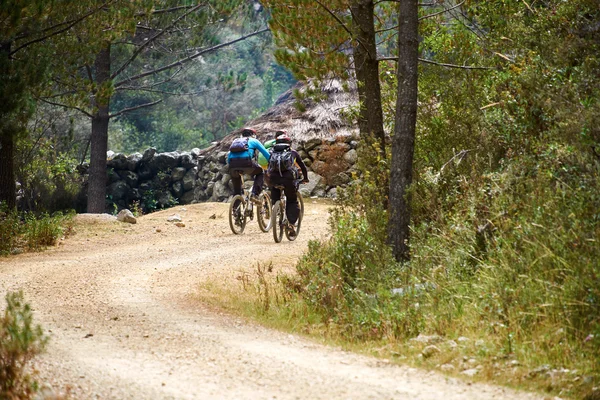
pixel 403 142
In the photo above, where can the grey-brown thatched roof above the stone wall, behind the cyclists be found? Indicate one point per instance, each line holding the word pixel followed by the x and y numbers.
pixel 324 119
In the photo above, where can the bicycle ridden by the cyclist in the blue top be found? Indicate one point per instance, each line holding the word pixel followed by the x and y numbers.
pixel 241 208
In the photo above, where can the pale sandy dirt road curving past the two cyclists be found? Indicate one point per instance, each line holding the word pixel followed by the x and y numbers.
pixel 118 301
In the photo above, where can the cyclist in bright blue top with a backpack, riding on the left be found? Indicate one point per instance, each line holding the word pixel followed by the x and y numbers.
pixel 244 159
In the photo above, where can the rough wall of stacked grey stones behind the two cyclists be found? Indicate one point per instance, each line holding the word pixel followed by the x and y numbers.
pixel 159 180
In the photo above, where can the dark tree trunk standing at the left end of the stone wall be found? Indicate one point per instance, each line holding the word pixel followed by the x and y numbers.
pixel 99 141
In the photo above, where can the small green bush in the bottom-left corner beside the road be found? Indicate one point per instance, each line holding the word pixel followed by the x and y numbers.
pixel 20 342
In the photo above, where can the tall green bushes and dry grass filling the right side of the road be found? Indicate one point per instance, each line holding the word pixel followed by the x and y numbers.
pixel 503 281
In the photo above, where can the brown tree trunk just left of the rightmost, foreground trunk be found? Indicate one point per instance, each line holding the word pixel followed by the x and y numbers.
pixel 370 120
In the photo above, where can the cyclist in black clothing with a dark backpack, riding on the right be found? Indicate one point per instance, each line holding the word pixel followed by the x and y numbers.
pixel 286 176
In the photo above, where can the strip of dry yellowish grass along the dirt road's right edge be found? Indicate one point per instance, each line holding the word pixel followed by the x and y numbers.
pixel 263 297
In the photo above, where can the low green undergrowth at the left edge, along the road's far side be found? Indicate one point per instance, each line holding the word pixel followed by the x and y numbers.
pixel 28 231
